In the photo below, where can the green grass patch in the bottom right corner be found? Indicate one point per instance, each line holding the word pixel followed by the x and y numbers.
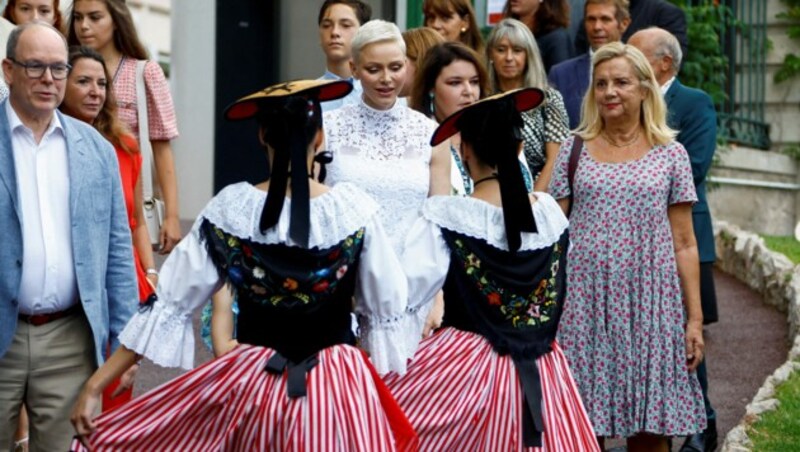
pixel 779 430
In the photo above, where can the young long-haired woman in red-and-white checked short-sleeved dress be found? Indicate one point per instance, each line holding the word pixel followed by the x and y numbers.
pixel 107 27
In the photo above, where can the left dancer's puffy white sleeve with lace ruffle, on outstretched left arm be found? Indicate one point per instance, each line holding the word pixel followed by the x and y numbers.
pixel 164 333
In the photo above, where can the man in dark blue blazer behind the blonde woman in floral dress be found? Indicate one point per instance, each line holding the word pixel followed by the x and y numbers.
pixel 605 21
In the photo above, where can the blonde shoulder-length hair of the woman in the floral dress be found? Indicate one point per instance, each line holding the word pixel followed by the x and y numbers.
pixel 653 114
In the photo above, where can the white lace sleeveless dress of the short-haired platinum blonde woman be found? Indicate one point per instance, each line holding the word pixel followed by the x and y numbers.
pixel 387 154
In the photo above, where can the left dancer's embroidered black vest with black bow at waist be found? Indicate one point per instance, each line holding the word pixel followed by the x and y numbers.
pixel 294 300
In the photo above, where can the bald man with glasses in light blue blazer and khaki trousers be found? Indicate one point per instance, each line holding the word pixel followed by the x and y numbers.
pixel 67 282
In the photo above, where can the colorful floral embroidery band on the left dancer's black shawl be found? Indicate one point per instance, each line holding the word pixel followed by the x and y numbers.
pixel 247 266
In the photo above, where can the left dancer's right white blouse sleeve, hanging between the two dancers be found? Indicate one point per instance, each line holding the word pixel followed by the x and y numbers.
pixel 381 300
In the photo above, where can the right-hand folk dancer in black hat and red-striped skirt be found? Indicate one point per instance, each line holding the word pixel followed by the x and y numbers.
pixel 493 378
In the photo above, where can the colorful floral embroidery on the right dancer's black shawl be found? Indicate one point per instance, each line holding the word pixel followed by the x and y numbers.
pixel 523 311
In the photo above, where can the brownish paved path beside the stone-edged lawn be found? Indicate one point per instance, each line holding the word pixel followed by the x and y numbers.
pixel 743 348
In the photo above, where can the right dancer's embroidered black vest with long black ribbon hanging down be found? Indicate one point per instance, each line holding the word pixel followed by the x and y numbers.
pixel 514 300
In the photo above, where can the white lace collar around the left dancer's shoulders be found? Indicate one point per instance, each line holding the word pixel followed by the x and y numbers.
pixel 333 215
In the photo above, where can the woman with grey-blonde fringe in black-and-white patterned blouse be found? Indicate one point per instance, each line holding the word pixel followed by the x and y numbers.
pixel 514 62
